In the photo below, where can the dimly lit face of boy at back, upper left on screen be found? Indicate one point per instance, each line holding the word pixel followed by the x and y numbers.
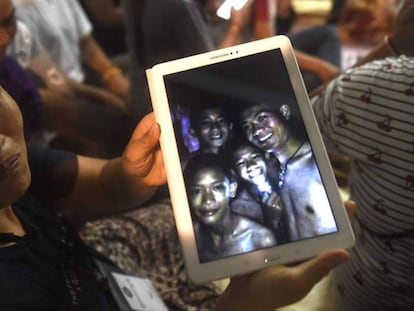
pixel 214 129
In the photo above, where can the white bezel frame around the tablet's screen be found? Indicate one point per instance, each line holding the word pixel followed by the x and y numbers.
pixel 280 254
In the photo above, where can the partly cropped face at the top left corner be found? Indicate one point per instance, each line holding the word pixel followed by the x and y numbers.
pixel 7 25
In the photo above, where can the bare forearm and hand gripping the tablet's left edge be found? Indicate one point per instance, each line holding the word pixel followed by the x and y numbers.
pixel 105 187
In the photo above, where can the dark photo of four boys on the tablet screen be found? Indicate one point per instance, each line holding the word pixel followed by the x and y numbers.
pixel 251 177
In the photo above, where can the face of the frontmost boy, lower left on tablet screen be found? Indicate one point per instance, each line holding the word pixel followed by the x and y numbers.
pixel 209 195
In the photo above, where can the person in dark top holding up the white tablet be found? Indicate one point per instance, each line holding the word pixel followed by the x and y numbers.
pixel 36 230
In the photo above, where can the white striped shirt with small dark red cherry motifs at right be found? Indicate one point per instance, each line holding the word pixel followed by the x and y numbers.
pixel 368 114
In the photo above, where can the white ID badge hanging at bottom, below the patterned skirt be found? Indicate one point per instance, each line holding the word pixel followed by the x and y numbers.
pixel 131 292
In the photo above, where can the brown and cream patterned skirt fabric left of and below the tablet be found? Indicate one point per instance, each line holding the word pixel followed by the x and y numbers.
pixel 145 241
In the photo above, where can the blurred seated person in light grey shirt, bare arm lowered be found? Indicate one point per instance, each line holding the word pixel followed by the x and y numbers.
pixel 64 30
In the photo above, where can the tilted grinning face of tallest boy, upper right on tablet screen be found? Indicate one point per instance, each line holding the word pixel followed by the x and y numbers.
pixel 264 129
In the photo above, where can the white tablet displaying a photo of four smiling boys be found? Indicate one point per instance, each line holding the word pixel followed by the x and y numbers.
pixel 249 178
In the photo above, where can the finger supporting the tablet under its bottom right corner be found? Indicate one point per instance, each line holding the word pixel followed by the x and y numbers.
pixel 313 270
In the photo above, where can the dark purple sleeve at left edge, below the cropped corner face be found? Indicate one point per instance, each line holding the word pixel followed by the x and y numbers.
pixel 18 82
